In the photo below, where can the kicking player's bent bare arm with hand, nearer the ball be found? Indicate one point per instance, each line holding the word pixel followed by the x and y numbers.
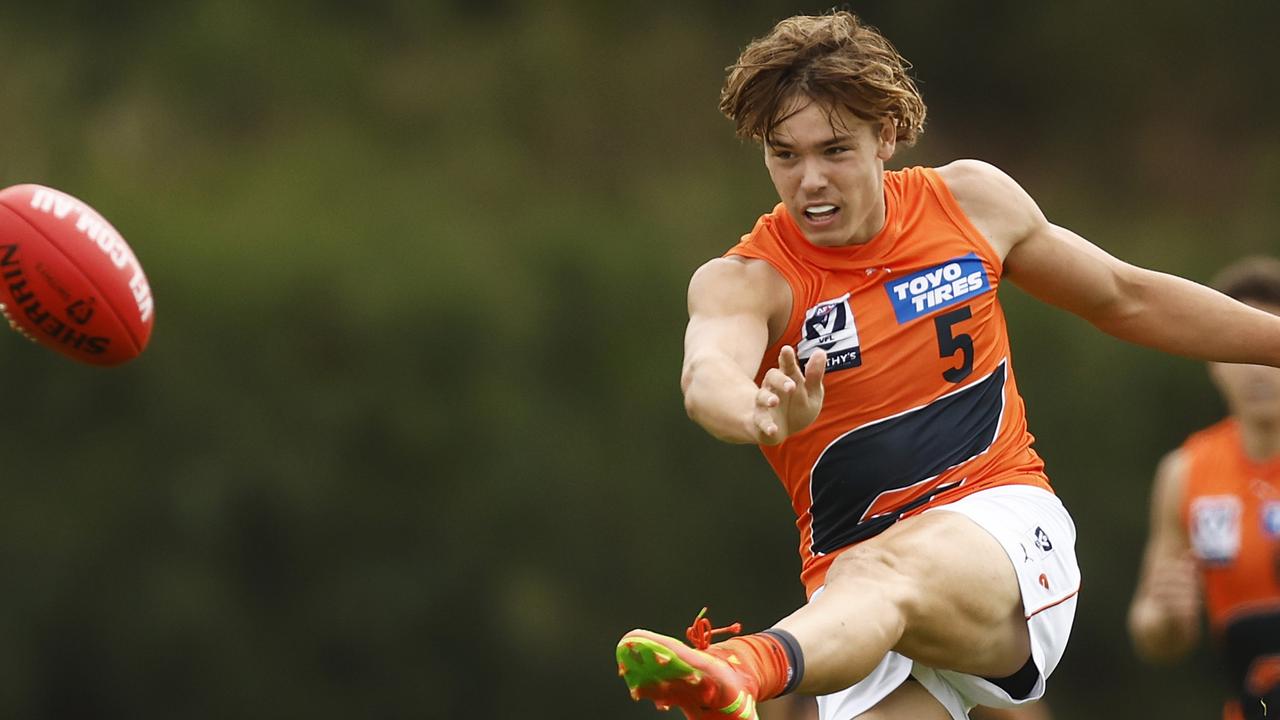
pixel 737 308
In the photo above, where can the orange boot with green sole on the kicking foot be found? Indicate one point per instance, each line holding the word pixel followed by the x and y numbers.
pixel 671 675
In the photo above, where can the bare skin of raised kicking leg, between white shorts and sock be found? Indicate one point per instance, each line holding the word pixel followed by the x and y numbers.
pixel 938 589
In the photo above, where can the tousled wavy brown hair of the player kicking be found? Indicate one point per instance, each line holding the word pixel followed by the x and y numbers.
pixel 833 60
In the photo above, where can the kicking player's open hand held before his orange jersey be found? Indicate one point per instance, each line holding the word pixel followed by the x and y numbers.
pixel 789 400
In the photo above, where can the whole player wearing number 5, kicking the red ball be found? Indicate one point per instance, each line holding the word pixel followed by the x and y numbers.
pixel 856 336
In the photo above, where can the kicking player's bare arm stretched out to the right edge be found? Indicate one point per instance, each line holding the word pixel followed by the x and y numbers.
pixel 1144 307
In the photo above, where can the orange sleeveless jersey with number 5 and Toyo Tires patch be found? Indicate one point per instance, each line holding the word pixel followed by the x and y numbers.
pixel 921 403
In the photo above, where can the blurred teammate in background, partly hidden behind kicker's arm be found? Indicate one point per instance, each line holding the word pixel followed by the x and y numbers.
pixel 1215 522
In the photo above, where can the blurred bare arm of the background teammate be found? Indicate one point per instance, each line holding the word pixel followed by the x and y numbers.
pixel 1164 619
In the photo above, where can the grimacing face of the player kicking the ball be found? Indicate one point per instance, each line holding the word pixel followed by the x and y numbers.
pixel 828 167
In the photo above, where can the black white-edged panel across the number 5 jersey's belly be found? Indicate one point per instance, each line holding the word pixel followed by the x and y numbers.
pixel 899 453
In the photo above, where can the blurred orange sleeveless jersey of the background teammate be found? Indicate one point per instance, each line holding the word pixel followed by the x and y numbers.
pixel 1232 513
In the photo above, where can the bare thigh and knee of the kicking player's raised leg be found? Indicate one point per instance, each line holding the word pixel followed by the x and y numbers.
pixel 956 587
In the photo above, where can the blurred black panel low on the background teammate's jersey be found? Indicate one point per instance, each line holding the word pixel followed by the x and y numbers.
pixel 1245 641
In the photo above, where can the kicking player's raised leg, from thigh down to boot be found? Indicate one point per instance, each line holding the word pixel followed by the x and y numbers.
pixel 938 589
